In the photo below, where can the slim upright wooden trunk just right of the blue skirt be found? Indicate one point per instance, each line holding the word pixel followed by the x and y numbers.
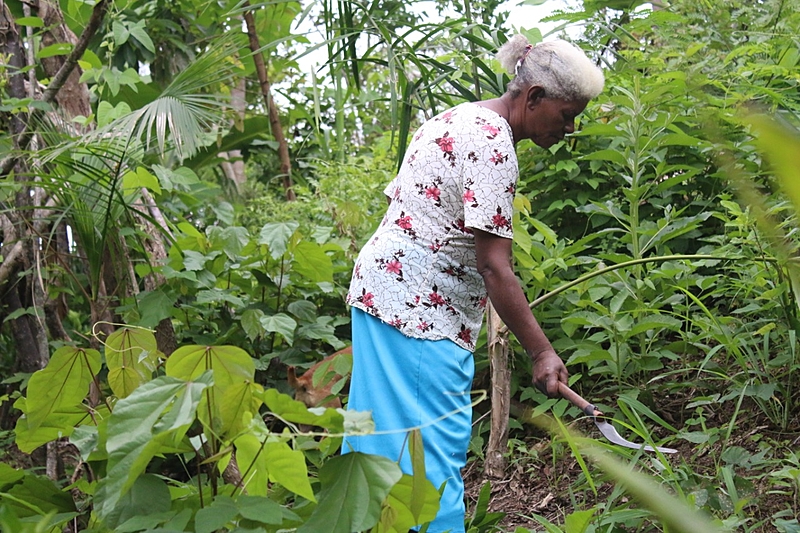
pixel 495 464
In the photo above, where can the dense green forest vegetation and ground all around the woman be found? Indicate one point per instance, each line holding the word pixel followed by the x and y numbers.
pixel 172 241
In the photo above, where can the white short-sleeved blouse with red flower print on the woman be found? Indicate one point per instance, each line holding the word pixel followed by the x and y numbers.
pixel 418 272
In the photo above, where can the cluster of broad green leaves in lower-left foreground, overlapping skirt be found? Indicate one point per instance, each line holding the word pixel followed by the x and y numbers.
pixel 201 407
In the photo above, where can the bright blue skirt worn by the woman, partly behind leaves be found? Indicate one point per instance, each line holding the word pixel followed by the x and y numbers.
pixel 406 383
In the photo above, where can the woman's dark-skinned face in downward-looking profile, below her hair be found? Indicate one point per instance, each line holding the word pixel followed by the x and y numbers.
pixel 547 120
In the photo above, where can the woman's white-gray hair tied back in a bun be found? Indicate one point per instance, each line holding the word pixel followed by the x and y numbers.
pixel 559 67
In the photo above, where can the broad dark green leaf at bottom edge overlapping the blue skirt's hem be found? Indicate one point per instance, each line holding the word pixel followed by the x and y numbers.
pixel 354 487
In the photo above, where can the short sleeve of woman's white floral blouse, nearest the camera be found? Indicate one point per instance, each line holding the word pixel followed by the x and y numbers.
pixel 490 176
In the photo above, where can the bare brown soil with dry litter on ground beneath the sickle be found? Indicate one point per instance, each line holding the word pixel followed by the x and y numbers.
pixel 552 486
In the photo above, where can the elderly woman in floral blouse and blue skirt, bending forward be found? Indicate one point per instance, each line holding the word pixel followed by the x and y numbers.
pixel 420 285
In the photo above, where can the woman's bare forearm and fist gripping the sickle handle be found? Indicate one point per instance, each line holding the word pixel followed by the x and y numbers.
pixel 494 265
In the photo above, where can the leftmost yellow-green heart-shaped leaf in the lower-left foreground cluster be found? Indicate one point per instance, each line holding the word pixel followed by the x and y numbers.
pixel 61 385
